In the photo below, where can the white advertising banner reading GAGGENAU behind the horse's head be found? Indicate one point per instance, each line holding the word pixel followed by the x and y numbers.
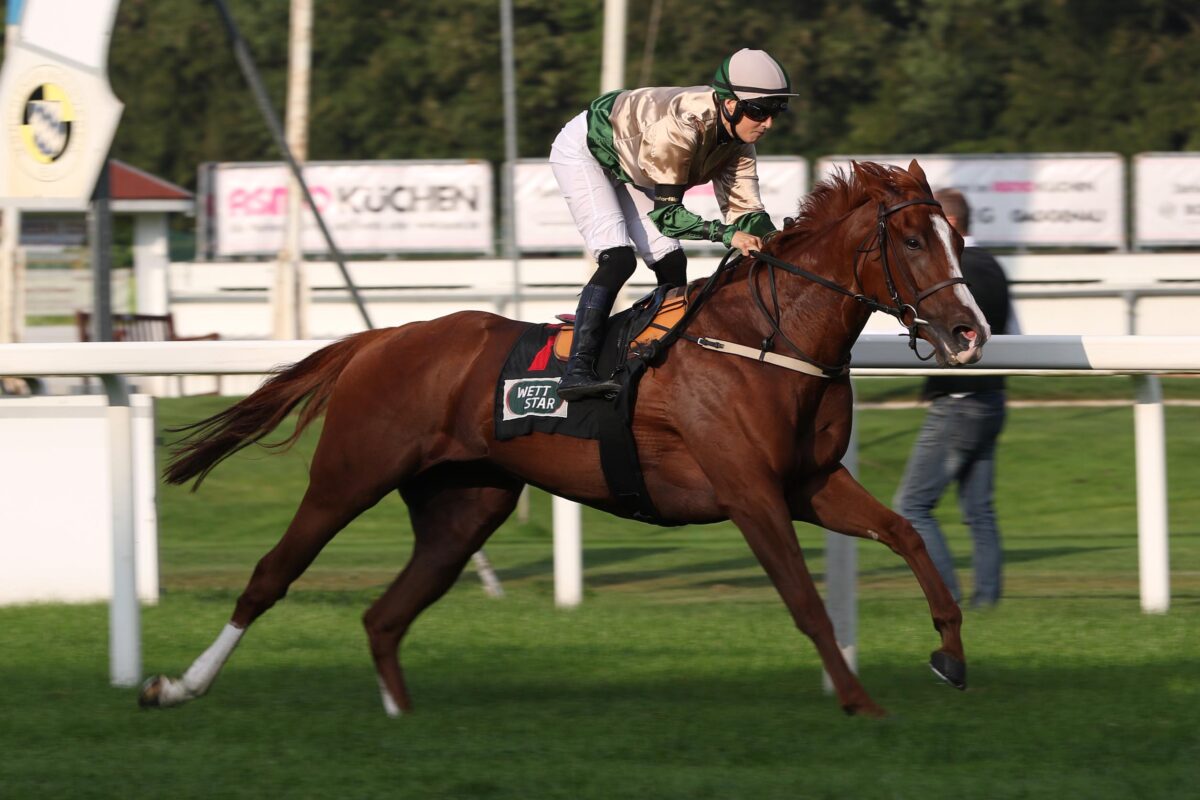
pixel 1028 201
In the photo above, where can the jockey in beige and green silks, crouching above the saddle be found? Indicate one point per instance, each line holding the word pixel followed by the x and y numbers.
pixel 623 167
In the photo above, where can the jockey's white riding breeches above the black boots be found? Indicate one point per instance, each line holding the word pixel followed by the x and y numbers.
pixel 608 213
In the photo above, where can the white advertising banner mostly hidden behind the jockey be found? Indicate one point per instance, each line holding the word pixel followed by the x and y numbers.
pixel 544 222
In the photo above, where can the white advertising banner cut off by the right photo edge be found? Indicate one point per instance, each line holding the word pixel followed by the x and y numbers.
pixel 1167 199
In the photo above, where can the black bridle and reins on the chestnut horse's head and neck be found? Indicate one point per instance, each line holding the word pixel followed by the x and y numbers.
pixel 899 309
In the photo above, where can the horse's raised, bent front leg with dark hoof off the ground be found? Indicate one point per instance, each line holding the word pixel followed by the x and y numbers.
pixel 836 501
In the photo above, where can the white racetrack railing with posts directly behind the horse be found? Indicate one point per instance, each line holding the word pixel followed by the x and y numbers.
pixel 874 356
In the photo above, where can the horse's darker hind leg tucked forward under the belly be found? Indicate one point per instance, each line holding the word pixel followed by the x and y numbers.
pixel 454 510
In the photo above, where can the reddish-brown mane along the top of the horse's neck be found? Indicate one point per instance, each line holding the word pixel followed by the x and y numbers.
pixel 842 193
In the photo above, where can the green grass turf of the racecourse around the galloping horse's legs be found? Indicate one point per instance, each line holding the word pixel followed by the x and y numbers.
pixel 680 677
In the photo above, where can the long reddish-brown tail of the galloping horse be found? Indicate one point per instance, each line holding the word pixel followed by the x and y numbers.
pixel 309 382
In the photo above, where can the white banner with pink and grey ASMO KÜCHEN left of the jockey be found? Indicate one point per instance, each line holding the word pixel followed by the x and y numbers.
pixel 382 207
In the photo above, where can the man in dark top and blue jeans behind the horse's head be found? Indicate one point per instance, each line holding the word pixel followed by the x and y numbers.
pixel 958 441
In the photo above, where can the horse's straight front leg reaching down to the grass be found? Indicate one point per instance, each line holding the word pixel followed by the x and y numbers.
pixel 764 519
